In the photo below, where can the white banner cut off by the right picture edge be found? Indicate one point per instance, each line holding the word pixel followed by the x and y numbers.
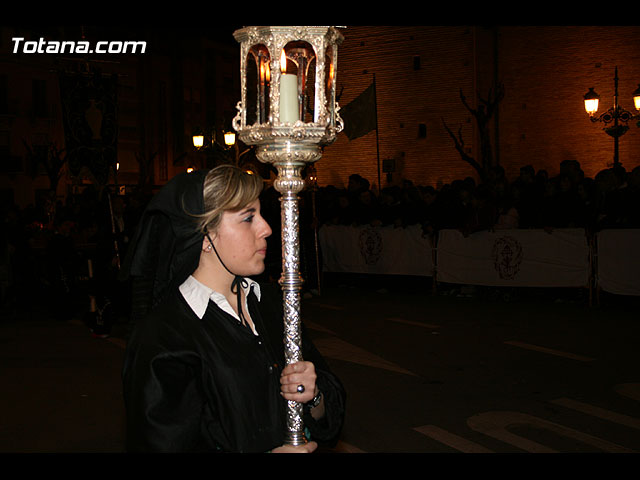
pixel 618 267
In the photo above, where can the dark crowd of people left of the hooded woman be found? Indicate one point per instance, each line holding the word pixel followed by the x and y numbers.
pixel 65 253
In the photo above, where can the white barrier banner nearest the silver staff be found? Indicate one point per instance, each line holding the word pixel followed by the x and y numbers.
pixel 376 250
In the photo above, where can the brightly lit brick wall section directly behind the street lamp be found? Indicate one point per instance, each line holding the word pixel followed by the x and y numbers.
pixel 546 72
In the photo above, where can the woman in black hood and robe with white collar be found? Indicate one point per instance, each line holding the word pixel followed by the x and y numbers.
pixel 205 370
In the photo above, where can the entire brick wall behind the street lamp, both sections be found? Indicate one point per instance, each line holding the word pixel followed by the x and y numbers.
pixel 545 72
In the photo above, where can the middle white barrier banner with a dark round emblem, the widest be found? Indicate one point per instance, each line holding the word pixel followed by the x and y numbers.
pixel 530 258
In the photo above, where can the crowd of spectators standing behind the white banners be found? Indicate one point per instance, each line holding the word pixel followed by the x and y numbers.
pixel 532 200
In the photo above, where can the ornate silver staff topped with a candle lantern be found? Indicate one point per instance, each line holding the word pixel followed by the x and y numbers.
pixel 288 110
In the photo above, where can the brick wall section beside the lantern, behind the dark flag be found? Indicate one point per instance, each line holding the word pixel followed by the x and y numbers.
pixel 406 98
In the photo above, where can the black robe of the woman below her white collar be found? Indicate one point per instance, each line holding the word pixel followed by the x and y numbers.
pixel 211 384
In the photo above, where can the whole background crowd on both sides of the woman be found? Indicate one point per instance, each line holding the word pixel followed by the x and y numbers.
pixel 58 252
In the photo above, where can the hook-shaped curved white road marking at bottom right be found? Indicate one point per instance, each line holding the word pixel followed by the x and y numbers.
pixel 496 424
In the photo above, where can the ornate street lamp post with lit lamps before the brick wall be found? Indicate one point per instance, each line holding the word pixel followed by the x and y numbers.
pixel 615 119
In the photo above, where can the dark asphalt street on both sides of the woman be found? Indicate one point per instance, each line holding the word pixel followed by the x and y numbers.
pixel 424 373
